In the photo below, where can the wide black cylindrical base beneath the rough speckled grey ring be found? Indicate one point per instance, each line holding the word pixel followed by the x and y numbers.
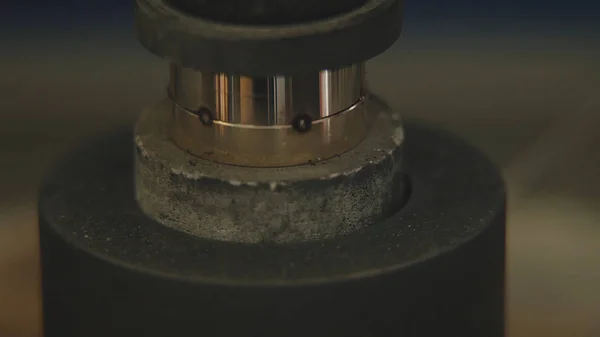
pixel 436 268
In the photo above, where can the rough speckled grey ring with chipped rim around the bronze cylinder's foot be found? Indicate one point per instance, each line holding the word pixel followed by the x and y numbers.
pixel 240 204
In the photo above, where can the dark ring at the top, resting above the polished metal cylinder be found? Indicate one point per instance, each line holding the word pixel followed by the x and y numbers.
pixel 204 45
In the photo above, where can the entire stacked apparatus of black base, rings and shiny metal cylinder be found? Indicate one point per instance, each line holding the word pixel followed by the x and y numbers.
pixel 271 194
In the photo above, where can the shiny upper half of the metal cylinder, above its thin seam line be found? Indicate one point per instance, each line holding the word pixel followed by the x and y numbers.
pixel 274 100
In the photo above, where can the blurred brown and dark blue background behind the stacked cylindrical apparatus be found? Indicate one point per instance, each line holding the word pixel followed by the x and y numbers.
pixel 520 79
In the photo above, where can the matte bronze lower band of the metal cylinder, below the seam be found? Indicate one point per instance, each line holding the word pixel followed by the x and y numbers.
pixel 269 145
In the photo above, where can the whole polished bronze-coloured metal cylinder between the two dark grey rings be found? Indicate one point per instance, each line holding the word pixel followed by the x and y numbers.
pixel 268 121
